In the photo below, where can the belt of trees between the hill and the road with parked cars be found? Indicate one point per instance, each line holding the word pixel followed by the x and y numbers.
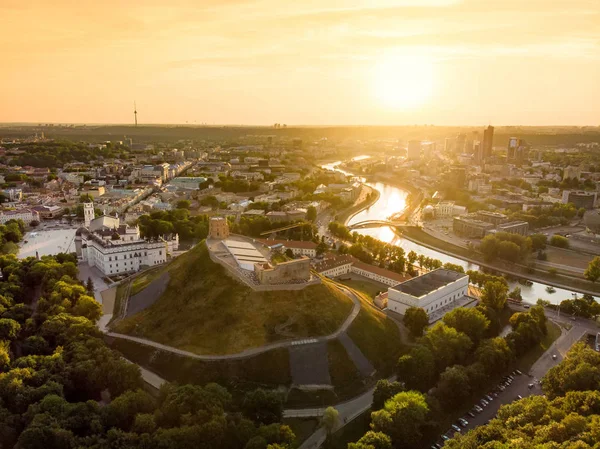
pixel 454 359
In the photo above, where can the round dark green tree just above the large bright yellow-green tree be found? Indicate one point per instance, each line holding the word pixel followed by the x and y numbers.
pixel 417 369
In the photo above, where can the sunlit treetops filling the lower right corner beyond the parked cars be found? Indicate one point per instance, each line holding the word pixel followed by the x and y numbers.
pixel 568 416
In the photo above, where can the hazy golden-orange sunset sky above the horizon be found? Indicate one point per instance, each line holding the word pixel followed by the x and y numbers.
pixel 303 62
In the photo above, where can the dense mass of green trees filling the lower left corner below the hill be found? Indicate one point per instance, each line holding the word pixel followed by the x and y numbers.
pixel 62 387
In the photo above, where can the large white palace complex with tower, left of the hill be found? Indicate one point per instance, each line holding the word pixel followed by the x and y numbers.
pixel 116 248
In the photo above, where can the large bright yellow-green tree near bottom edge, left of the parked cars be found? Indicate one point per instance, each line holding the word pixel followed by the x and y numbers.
pixel 402 418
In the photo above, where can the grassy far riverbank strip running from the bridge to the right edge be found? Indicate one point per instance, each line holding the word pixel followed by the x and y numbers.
pixel 420 237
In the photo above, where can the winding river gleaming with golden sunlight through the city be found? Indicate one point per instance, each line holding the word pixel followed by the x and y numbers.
pixel 393 199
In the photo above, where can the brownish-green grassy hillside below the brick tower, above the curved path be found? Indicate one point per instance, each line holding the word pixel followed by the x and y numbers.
pixel 206 312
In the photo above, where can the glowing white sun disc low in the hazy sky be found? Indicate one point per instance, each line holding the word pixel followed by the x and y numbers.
pixel 403 81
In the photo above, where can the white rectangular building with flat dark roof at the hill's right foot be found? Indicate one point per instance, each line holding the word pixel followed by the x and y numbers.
pixel 431 291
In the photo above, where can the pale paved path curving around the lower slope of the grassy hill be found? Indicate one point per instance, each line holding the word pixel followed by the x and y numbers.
pixel 252 351
